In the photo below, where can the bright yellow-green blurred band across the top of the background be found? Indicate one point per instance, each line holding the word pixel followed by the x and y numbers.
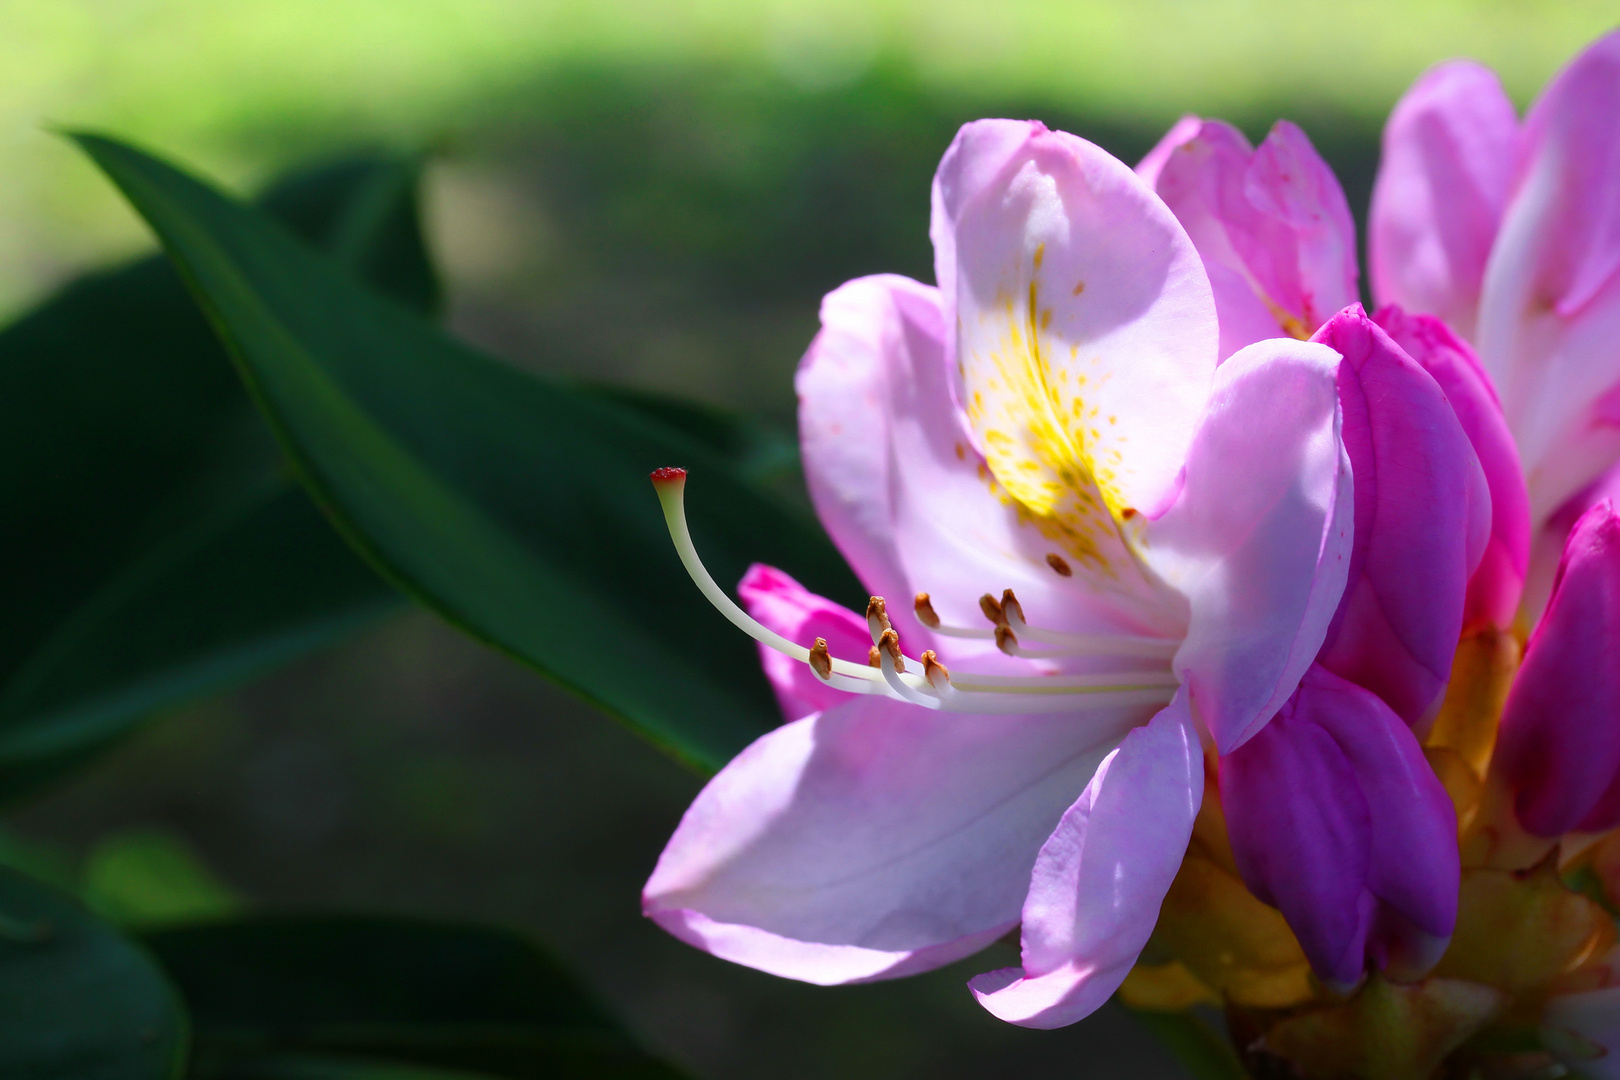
pixel 241 88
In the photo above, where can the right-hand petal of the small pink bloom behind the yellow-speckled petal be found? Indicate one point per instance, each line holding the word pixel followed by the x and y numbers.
pixel 1292 184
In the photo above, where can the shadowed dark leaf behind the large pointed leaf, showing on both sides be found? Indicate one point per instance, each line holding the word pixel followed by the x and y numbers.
pixel 160 545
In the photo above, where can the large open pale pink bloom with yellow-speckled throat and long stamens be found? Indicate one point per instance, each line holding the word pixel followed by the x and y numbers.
pixel 1102 555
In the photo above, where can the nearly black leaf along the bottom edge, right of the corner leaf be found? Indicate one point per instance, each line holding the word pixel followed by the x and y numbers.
pixel 344 997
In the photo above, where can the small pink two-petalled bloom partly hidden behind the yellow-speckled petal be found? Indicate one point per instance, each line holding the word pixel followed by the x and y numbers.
pixel 1271 224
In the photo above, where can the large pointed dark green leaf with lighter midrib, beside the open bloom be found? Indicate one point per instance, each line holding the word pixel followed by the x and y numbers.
pixel 516 506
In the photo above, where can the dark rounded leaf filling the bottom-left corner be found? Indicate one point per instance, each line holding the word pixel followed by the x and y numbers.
pixel 80 1001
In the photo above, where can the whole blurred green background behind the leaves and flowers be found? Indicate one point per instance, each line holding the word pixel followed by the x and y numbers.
pixel 655 193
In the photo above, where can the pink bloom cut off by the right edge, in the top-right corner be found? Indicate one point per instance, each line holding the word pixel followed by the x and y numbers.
pixel 1511 232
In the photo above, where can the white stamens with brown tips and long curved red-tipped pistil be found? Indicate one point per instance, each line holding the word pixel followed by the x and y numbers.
pixel 890 673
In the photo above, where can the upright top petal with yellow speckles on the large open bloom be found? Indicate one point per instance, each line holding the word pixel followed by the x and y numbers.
pixel 1086 349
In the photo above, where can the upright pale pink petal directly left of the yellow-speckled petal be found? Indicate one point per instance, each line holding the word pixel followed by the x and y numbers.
pixel 898 483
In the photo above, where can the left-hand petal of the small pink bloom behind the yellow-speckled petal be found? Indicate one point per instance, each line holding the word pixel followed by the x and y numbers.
pixel 1204 185
